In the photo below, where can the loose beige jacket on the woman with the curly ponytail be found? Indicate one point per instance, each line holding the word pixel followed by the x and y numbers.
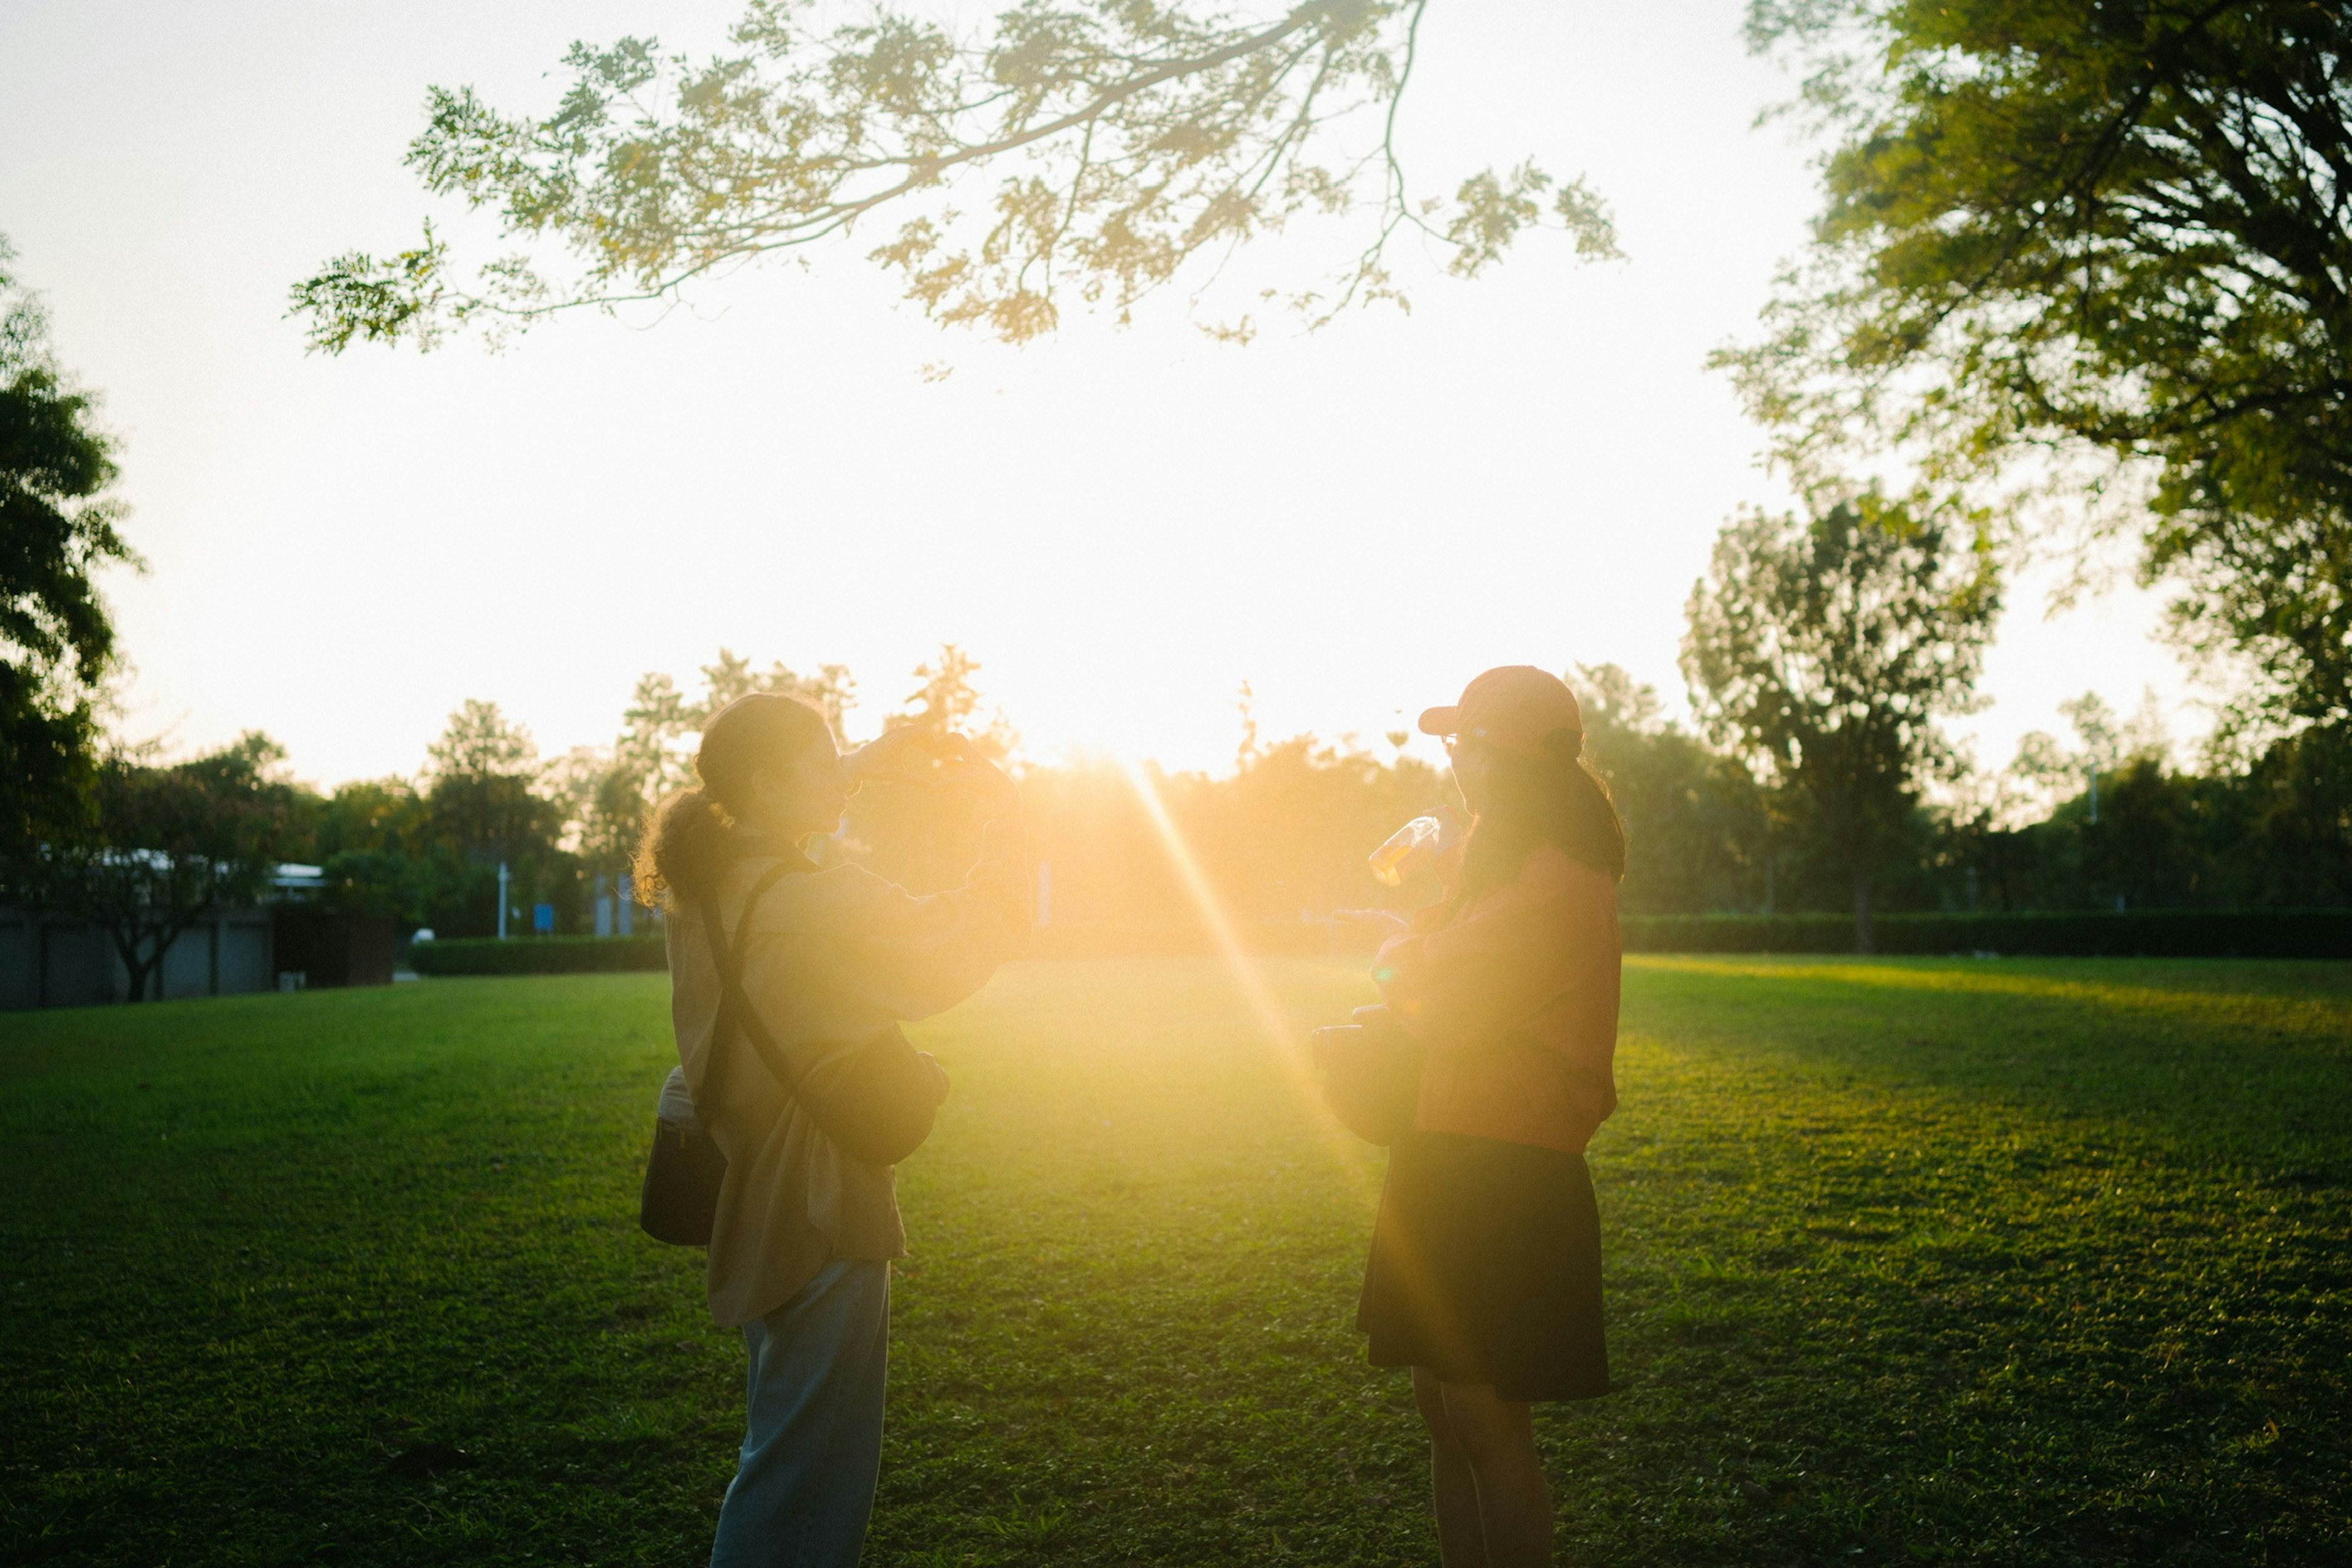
pixel 831 960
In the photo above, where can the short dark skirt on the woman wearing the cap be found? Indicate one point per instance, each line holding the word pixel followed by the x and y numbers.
pixel 1488 1268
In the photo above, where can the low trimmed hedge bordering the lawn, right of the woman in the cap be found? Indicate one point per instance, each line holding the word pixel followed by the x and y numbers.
pixel 2160 934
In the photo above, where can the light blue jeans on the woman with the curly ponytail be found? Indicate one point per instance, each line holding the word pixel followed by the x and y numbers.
pixel 813 1445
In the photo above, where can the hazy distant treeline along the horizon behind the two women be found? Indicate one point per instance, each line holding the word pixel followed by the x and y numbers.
pixel 1281 838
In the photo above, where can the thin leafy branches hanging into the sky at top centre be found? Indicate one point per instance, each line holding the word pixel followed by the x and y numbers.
pixel 1123 140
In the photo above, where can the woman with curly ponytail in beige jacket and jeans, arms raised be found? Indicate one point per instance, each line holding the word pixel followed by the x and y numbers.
pixel 803 1235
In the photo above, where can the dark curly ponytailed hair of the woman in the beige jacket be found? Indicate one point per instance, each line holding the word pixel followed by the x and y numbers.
pixel 693 833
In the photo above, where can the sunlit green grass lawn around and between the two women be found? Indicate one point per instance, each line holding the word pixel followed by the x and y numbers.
pixel 1909 1261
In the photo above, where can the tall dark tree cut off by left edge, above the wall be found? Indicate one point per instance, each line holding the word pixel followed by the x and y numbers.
pixel 58 643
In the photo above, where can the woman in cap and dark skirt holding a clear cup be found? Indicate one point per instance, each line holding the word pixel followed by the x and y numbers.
pixel 1485 1261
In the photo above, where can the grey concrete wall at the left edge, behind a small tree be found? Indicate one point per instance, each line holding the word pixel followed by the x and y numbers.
pixel 65 963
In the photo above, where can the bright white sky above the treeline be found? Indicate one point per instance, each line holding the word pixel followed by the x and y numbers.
pixel 1121 525
